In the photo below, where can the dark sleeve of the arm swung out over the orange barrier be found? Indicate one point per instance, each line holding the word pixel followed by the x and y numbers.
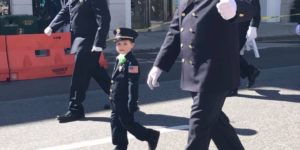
pixel 61 18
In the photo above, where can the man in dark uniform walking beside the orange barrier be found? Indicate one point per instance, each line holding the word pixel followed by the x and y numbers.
pixel 89 21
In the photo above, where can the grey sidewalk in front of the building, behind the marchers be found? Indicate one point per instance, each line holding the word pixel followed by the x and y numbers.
pixel 268 32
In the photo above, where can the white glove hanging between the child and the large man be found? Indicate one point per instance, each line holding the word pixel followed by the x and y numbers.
pixel 153 75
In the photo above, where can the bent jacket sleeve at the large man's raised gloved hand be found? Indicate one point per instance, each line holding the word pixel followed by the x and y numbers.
pixel 245 11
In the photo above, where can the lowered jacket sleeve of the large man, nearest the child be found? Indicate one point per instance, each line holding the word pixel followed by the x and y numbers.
pixel 170 49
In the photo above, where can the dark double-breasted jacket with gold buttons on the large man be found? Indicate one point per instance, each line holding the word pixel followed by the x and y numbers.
pixel 208 43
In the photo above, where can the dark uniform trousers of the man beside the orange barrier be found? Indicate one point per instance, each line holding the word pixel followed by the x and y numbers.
pixel 86 66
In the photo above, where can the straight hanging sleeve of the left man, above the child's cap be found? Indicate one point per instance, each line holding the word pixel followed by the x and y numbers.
pixel 103 18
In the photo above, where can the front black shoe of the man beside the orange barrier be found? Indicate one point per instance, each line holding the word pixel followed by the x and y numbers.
pixel 70 116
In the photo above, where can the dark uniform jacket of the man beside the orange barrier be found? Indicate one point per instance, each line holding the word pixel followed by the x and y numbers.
pixel 89 23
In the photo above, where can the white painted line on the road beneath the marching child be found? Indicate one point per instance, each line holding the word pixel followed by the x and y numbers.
pixel 107 140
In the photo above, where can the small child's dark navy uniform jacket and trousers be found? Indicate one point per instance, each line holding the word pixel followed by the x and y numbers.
pixel 123 96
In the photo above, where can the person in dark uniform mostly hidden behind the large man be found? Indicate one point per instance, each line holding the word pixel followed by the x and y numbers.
pixel 248 31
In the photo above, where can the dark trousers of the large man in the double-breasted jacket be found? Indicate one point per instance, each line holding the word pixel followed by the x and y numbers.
pixel 208 121
